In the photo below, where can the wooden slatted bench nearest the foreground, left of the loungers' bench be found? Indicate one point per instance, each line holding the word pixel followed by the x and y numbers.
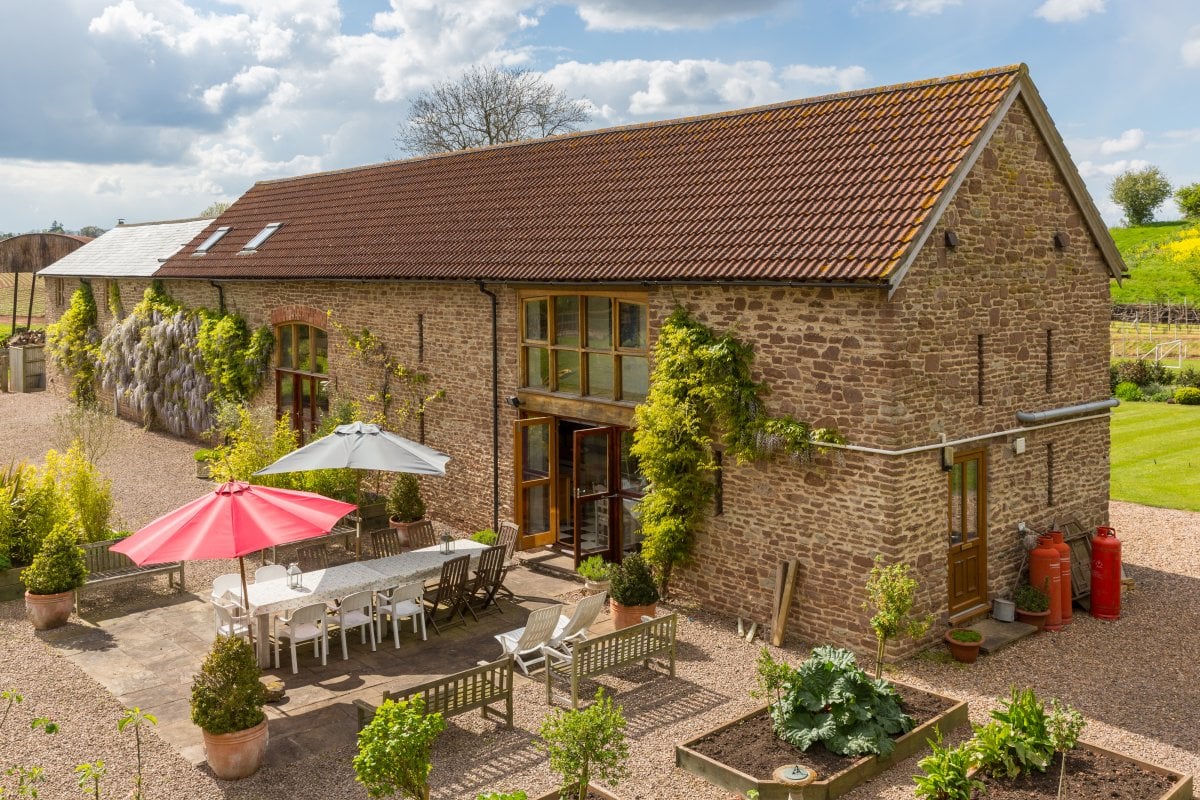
pixel 478 688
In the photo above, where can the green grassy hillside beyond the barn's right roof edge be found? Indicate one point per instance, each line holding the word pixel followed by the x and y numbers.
pixel 1154 276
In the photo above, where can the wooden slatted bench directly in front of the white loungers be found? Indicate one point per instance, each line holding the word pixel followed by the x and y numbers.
pixel 602 654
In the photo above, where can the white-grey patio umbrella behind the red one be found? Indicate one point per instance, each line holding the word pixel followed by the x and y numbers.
pixel 362 446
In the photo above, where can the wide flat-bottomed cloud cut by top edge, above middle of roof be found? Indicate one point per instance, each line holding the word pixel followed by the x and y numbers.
pixel 670 15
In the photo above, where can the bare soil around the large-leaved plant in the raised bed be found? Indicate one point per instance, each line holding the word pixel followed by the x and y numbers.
pixel 752 747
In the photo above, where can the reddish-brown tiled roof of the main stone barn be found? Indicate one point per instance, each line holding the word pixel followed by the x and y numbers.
pixel 837 189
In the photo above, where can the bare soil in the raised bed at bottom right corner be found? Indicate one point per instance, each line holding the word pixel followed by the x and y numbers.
pixel 1090 777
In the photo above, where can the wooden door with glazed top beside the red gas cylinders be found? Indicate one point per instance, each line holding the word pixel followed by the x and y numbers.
pixel 968 512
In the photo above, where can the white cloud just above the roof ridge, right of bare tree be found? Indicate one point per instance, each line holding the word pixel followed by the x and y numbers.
pixel 635 89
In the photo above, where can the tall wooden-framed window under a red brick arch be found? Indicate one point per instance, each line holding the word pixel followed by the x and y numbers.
pixel 302 375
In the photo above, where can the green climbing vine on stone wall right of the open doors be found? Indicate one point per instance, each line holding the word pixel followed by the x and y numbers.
pixel 701 393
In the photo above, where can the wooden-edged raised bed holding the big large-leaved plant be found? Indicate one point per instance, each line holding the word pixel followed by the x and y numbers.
pixel 836 775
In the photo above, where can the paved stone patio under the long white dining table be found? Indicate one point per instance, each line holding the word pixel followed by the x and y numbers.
pixel 146 652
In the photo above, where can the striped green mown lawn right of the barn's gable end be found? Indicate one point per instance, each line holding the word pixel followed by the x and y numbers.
pixel 1156 455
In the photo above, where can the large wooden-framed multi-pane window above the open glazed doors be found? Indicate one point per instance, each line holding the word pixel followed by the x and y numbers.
pixel 592 346
